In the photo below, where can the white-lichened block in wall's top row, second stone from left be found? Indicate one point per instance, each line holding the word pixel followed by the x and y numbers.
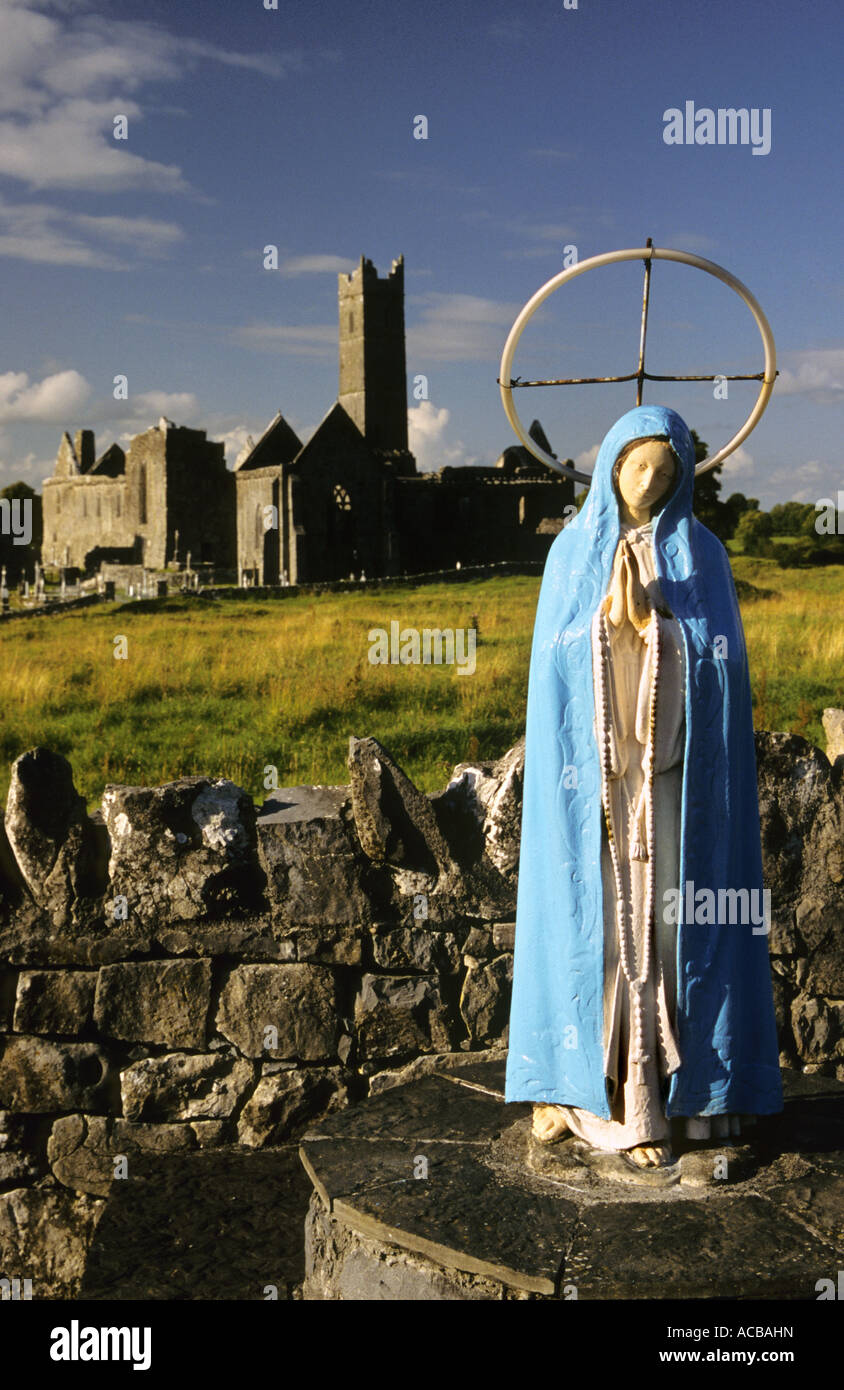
pixel 184 851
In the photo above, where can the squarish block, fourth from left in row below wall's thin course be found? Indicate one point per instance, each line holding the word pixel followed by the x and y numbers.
pixel 397 1015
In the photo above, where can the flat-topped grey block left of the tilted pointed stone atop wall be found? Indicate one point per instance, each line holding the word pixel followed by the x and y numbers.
pixel 309 857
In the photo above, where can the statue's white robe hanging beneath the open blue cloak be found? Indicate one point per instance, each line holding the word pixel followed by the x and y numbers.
pixel 638 1106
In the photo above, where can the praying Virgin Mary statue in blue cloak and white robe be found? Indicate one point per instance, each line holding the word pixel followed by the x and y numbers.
pixel 631 1006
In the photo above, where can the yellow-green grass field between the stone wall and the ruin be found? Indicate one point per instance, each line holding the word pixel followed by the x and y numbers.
pixel 232 687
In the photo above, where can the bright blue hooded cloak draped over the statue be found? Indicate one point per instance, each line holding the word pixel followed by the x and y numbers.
pixel 725 1020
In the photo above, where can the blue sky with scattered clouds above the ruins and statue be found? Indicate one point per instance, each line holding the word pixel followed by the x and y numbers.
pixel 252 127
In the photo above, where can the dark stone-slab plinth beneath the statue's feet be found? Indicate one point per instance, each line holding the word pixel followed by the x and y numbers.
pixel 443 1171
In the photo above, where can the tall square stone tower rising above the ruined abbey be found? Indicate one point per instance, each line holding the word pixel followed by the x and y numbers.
pixel 373 387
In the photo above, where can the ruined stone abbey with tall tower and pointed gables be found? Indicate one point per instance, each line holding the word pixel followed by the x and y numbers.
pixel 350 501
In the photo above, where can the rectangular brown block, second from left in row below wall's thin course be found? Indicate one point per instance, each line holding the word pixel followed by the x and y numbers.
pixel 155 1001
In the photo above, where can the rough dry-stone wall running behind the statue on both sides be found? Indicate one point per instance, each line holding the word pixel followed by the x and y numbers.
pixel 184 971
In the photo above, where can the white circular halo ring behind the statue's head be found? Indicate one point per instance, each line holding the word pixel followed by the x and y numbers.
pixel 608 259
